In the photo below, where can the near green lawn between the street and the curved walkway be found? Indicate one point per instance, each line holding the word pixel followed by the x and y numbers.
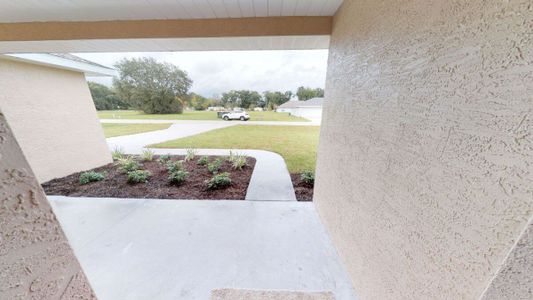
pixel 297 144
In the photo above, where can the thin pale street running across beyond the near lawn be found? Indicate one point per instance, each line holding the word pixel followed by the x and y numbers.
pixel 213 122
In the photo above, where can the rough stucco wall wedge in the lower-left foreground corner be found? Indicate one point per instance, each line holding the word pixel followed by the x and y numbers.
pixel 36 261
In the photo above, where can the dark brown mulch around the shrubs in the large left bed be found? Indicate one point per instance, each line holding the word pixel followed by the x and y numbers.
pixel 115 184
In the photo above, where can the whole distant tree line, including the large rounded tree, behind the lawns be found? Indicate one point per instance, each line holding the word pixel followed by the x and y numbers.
pixel 162 88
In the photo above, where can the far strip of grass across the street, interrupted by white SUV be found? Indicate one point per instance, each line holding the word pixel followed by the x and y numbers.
pixel 196 115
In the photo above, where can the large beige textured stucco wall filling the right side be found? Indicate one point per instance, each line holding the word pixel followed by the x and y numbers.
pixel 425 162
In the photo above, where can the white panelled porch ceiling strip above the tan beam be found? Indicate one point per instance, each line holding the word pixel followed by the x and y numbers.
pixel 98 10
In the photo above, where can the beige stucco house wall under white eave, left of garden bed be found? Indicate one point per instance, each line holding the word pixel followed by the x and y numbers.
pixel 53 117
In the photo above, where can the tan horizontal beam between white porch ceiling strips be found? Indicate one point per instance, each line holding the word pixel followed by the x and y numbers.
pixel 146 29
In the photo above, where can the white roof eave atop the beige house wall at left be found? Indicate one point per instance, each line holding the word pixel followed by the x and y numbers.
pixel 64 61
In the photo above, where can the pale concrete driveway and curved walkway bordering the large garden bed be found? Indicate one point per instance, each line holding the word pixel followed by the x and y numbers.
pixel 270 178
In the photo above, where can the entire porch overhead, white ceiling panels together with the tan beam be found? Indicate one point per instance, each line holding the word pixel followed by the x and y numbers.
pixel 28 26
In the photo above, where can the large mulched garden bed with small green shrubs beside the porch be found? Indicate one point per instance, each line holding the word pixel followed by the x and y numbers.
pixel 161 177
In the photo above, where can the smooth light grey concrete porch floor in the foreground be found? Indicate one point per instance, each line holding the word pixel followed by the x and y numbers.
pixel 184 249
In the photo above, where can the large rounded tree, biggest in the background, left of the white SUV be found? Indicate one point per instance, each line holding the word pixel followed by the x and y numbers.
pixel 153 87
